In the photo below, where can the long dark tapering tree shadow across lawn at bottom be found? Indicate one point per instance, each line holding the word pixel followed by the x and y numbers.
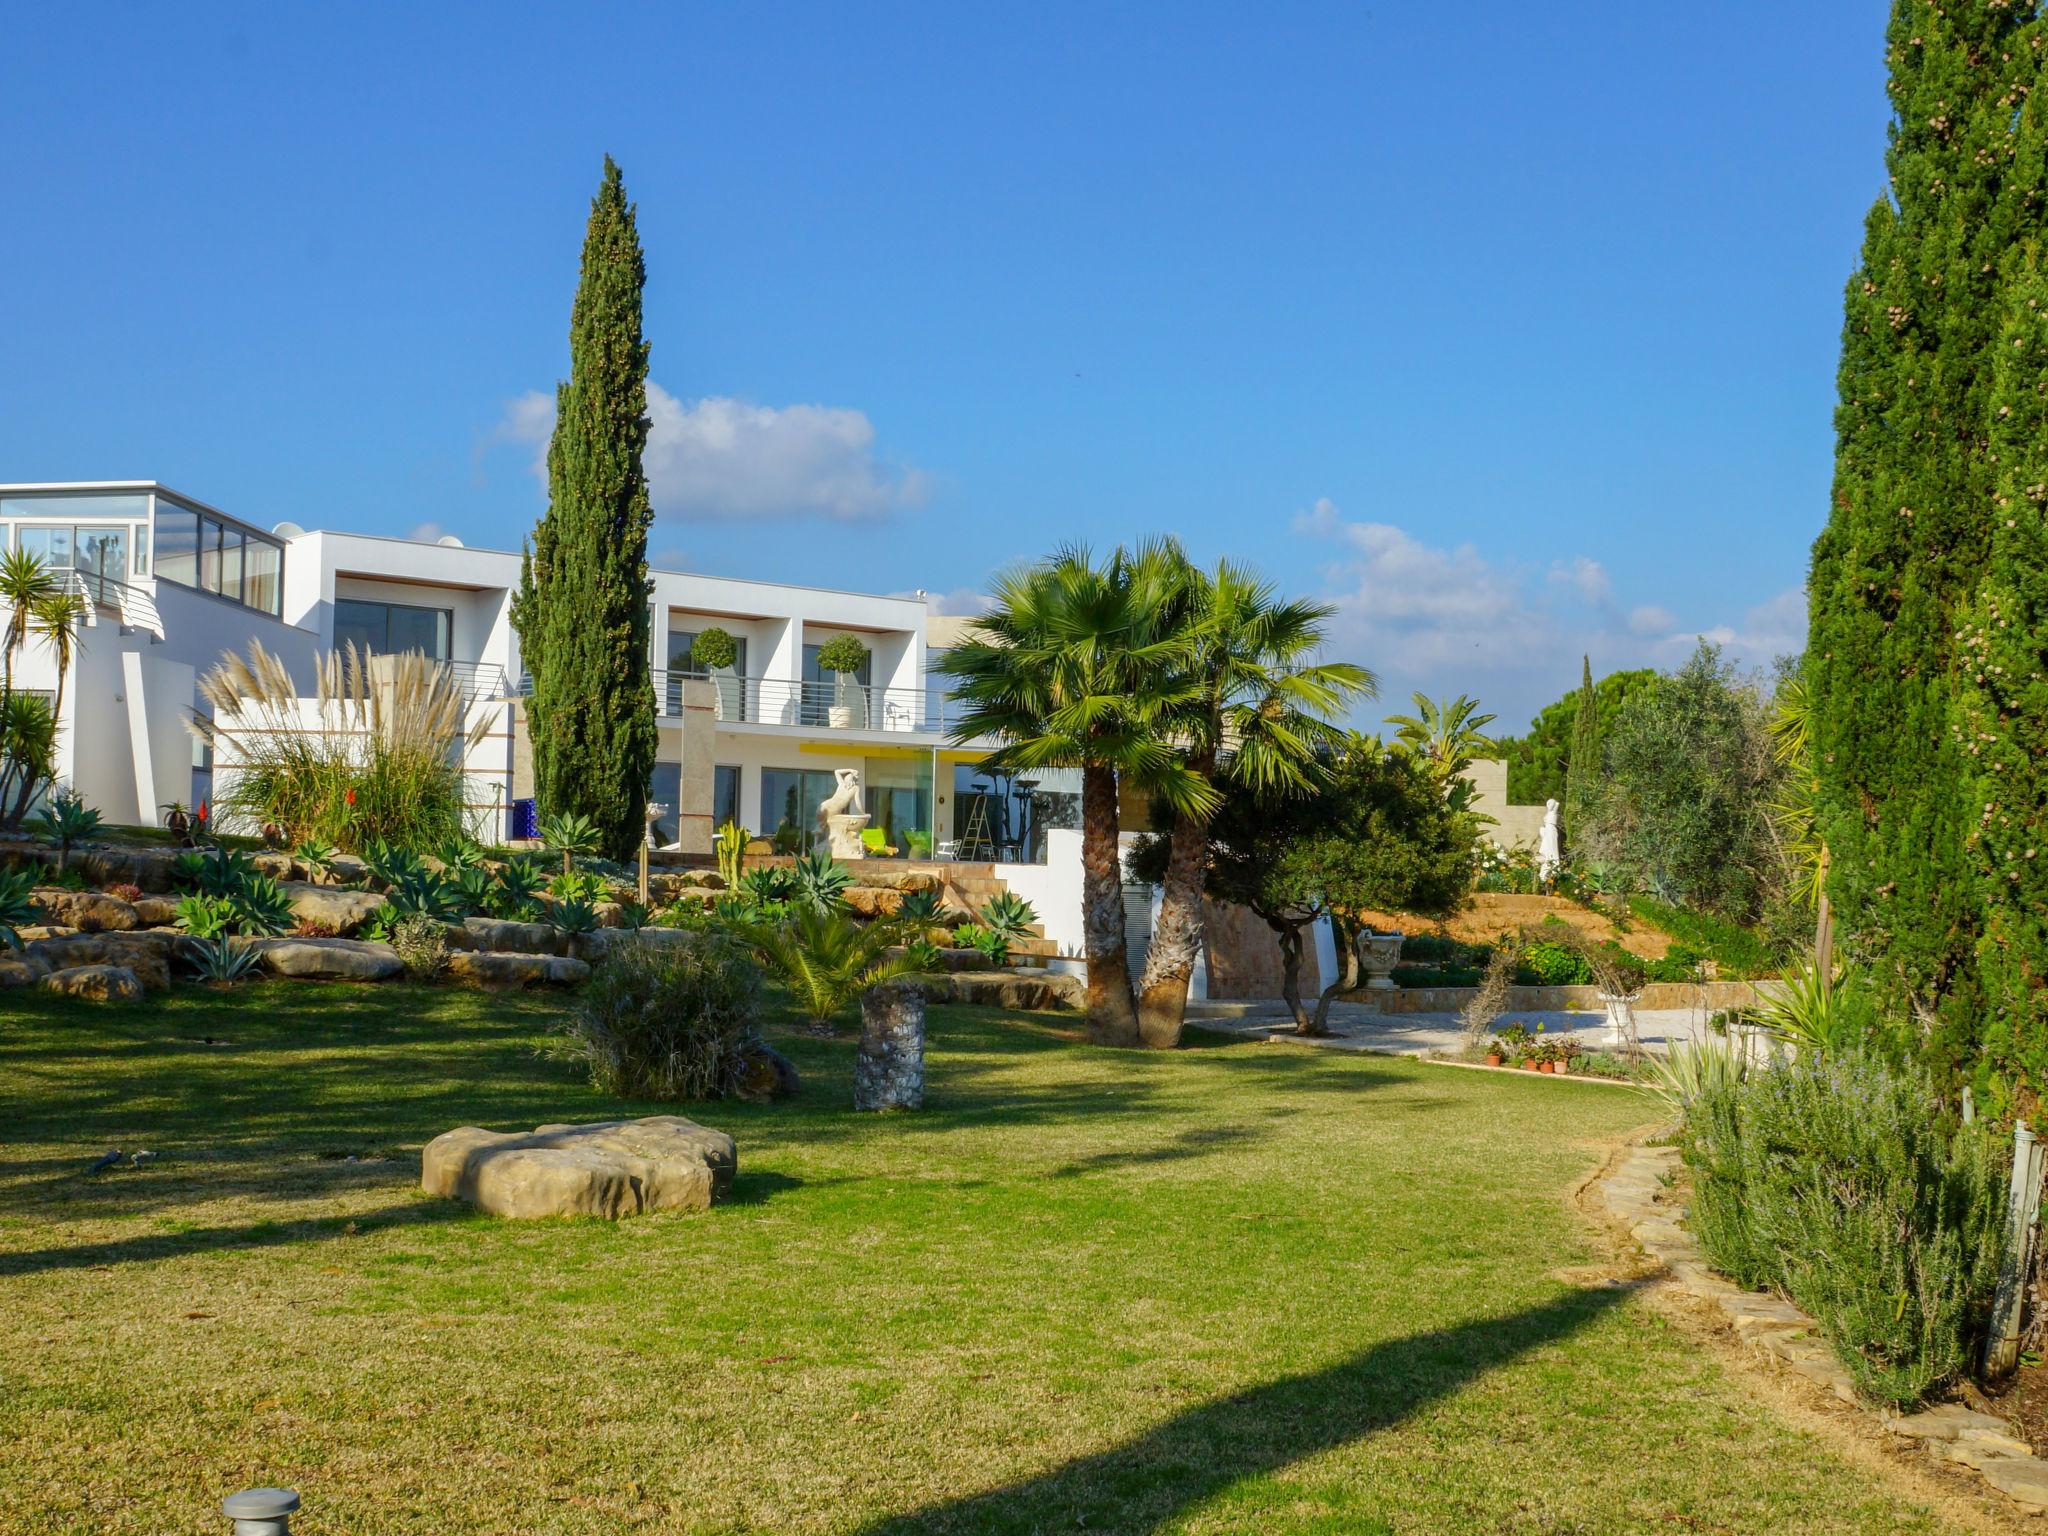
pixel 1193 1457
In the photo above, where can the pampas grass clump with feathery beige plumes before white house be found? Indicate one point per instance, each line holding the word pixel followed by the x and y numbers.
pixel 376 757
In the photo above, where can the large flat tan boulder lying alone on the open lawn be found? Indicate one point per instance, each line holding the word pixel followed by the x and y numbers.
pixel 611 1168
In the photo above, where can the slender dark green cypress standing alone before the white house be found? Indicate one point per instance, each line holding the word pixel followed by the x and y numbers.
pixel 583 599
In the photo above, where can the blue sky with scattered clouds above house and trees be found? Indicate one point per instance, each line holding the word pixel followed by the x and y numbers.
pixel 1508 329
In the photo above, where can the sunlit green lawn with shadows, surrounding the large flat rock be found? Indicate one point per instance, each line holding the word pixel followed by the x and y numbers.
pixel 1238 1289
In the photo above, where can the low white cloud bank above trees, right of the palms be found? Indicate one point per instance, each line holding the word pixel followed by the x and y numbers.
pixel 1453 620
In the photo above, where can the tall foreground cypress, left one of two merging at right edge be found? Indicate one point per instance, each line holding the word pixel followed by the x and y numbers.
pixel 1910 525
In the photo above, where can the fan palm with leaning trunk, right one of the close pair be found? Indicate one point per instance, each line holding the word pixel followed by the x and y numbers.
pixel 1256 714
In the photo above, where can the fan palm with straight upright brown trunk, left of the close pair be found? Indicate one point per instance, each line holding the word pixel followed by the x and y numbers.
pixel 1080 665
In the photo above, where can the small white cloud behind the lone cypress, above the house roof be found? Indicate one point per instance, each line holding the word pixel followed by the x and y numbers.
pixel 724 460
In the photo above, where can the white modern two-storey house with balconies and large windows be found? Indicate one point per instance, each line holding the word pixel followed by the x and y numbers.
pixel 175 583
